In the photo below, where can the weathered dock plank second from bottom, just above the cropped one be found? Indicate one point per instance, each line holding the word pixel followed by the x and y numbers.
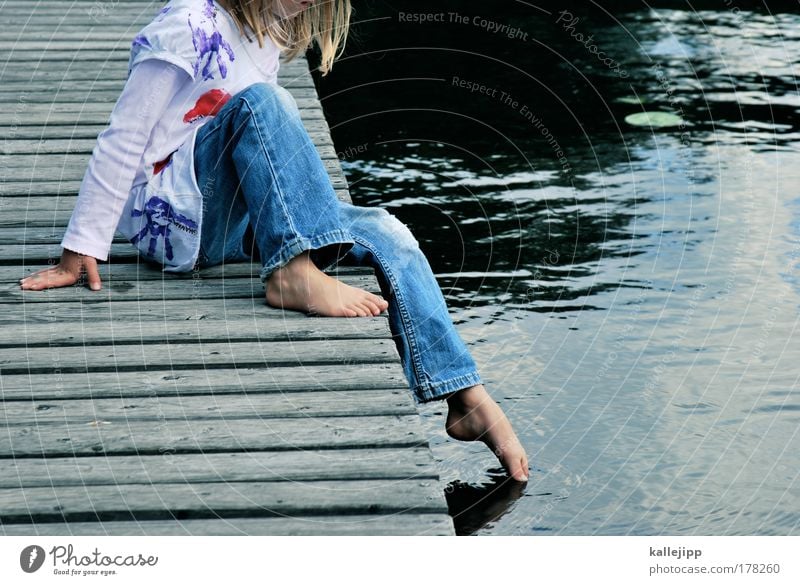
pixel 216 500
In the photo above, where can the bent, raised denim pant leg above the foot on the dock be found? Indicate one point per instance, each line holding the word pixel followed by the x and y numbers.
pixel 256 165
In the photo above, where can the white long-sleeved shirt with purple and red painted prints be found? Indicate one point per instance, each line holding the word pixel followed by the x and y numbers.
pixel 184 66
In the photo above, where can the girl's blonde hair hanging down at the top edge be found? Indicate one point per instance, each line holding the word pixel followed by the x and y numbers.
pixel 325 22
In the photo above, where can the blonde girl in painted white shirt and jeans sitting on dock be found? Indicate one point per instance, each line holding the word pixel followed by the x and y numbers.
pixel 205 161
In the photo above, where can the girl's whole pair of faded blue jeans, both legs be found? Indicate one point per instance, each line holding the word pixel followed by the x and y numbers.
pixel 266 193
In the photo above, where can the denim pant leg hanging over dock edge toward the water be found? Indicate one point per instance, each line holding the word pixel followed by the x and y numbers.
pixel 435 359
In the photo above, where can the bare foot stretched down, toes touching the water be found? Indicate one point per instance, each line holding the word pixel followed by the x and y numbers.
pixel 474 416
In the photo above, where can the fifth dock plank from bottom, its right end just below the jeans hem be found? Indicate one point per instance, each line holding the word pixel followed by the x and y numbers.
pixel 230 408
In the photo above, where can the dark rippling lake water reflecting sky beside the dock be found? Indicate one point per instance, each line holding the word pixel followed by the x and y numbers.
pixel 631 295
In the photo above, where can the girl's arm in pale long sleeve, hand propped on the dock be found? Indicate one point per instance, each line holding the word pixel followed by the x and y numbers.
pixel 110 174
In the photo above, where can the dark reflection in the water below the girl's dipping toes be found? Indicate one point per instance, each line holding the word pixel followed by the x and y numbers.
pixel 474 506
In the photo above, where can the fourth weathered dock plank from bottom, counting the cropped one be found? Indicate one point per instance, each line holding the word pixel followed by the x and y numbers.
pixel 184 436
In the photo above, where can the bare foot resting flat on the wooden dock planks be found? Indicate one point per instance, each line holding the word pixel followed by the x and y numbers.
pixel 301 286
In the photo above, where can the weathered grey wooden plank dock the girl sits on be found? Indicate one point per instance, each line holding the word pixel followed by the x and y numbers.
pixel 175 404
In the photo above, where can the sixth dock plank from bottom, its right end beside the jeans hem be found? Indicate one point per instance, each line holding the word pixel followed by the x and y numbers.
pixel 331 378
